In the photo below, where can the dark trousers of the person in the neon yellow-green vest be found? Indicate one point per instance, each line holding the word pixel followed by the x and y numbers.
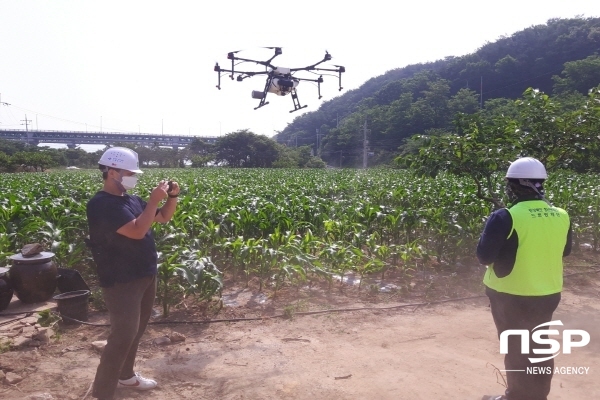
pixel 523 312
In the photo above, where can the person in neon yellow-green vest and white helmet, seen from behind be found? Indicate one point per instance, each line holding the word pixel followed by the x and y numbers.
pixel 523 246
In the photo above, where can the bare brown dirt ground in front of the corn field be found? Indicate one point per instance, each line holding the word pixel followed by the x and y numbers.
pixel 432 351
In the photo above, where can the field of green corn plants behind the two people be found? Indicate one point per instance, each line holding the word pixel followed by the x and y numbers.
pixel 282 227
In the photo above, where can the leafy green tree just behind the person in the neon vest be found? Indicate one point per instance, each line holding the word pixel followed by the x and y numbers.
pixel 481 147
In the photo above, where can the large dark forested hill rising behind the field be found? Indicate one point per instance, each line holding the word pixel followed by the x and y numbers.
pixel 417 98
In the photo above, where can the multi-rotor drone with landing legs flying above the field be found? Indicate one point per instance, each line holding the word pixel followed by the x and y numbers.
pixel 280 81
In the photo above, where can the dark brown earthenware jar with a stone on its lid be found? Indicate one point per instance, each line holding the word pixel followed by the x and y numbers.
pixel 33 278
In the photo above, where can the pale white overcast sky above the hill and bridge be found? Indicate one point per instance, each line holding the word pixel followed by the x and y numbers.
pixel 148 66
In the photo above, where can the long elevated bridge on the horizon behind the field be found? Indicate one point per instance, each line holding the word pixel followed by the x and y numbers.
pixel 75 138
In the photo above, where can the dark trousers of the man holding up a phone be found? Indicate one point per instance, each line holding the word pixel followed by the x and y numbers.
pixel 129 308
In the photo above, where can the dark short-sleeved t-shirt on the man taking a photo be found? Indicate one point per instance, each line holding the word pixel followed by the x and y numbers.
pixel 119 258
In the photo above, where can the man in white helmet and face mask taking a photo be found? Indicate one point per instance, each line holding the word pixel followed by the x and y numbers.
pixel 125 254
